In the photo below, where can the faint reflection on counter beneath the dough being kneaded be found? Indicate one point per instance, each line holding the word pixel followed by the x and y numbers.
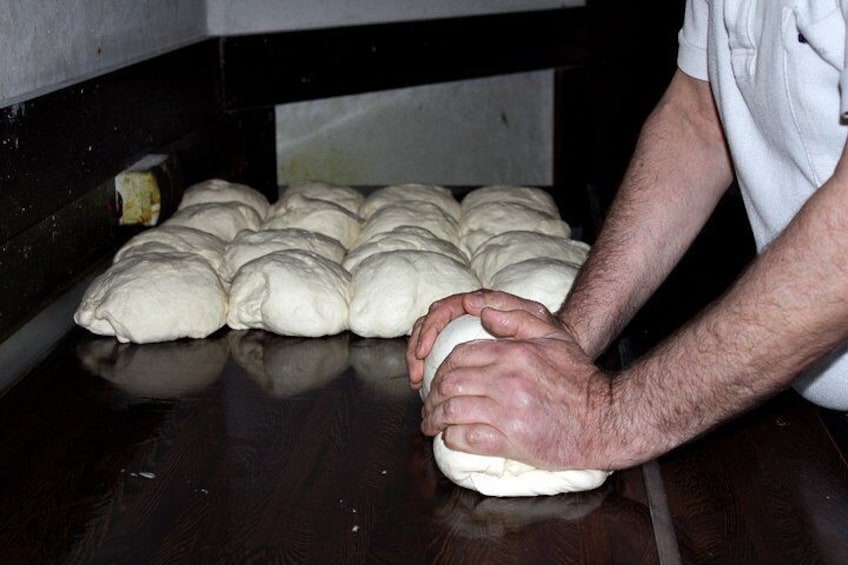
pixel 473 515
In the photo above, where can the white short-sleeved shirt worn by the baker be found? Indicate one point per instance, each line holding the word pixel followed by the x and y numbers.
pixel 777 70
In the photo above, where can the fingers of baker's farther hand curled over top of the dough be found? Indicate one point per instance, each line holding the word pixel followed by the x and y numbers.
pixel 441 313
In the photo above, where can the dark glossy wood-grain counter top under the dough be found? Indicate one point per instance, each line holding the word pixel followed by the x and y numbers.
pixel 249 448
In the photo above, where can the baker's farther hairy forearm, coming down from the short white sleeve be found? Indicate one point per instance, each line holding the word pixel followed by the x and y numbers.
pixel 678 172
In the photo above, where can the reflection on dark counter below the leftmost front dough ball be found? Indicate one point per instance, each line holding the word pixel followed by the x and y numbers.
pixel 155 370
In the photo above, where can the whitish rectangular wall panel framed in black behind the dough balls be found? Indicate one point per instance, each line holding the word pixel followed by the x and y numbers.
pixel 494 130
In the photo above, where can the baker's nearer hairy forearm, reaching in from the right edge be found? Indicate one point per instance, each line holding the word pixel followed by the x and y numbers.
pixel 786 311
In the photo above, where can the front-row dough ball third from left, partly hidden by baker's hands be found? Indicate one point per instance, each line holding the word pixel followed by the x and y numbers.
pixel 391 290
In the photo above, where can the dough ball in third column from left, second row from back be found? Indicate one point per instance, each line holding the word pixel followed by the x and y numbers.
pixel 422 214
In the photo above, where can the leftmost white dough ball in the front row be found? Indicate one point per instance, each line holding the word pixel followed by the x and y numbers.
pixel 155 297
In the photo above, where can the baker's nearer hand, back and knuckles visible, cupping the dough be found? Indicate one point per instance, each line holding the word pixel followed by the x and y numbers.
pixel 534 397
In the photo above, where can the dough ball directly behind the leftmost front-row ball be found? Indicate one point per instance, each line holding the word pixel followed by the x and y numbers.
pixel 169 239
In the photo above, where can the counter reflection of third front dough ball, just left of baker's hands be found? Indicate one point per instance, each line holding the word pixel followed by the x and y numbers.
pixel 382 363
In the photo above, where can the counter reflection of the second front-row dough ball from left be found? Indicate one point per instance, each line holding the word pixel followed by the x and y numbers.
pixel 286 366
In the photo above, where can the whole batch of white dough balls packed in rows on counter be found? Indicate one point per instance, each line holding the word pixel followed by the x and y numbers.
pixel 325 259
